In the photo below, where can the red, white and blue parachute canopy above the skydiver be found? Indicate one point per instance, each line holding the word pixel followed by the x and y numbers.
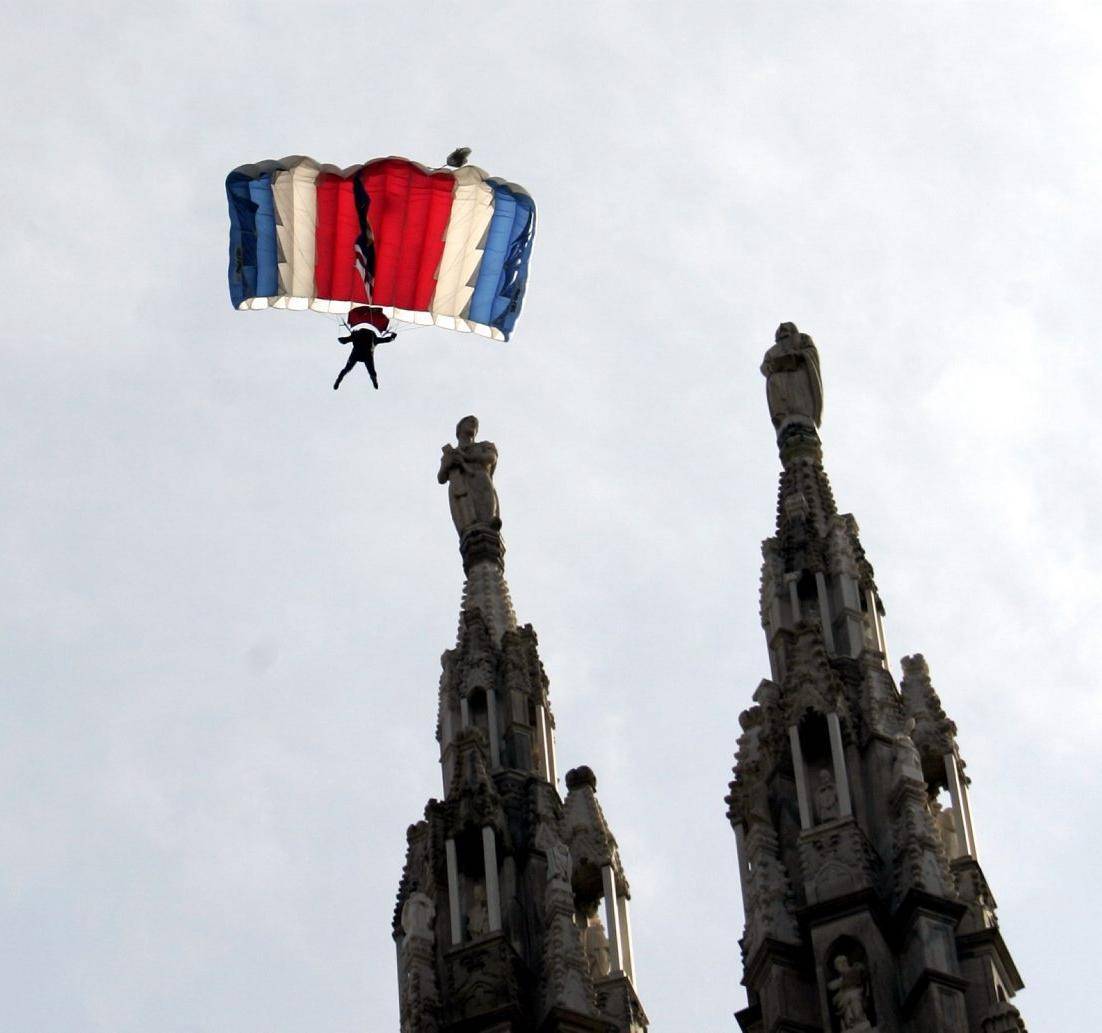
pixel 449 248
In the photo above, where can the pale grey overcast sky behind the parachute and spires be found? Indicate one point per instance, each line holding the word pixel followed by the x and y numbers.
pixel 225 589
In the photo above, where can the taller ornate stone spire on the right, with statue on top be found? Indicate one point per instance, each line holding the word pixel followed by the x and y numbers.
pixel 867 909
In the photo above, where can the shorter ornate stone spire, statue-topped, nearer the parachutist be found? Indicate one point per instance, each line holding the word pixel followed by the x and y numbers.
pixel 513 908
